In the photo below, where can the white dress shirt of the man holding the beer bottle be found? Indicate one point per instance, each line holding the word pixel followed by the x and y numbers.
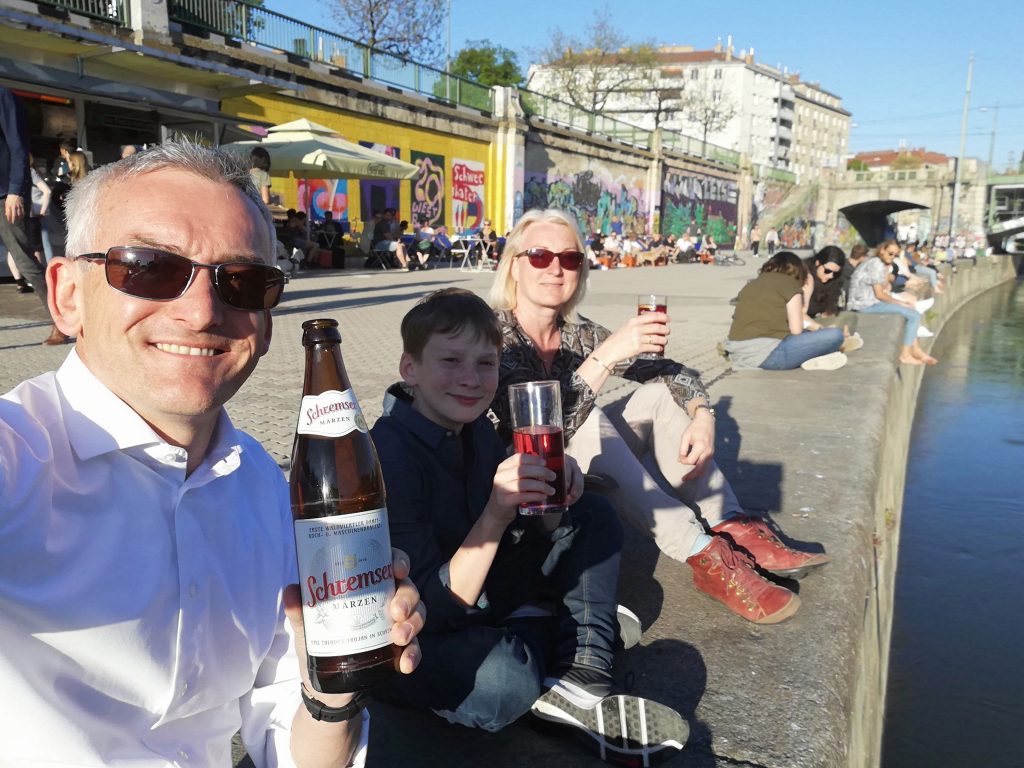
pixel 141 611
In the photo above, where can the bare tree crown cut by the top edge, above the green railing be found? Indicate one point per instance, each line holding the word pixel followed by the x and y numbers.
pixel 413 29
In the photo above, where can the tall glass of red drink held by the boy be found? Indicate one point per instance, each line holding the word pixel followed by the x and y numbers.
pixel 537 430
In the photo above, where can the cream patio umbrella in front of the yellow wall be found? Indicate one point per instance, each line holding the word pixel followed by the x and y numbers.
pixel 313 151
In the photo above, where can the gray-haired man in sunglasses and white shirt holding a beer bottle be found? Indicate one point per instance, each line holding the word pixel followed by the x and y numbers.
pixel 147 556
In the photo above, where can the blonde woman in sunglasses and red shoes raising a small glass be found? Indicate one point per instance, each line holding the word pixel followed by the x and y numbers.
pixel 539 285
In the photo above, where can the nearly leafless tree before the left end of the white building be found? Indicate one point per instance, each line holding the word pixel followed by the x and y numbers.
pixel 592 71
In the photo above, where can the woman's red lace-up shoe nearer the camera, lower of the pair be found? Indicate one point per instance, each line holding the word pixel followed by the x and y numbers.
pixel 730 577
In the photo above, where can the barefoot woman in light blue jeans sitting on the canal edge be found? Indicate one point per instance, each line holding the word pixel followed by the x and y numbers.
pixel 870 292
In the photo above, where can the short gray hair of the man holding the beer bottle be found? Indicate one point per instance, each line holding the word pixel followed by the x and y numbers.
pixel 83 201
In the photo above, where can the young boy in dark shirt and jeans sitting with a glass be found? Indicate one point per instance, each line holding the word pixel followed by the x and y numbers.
pixel 521 611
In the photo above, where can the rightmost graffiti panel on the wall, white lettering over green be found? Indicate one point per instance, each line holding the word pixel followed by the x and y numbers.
pixel 695 203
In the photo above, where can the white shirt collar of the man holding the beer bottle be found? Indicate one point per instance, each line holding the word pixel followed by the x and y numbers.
pixel 99 422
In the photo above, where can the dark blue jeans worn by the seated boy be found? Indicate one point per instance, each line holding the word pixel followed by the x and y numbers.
pixel 489 674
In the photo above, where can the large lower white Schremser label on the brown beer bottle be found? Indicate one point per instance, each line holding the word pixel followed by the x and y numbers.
pixel 348 583
